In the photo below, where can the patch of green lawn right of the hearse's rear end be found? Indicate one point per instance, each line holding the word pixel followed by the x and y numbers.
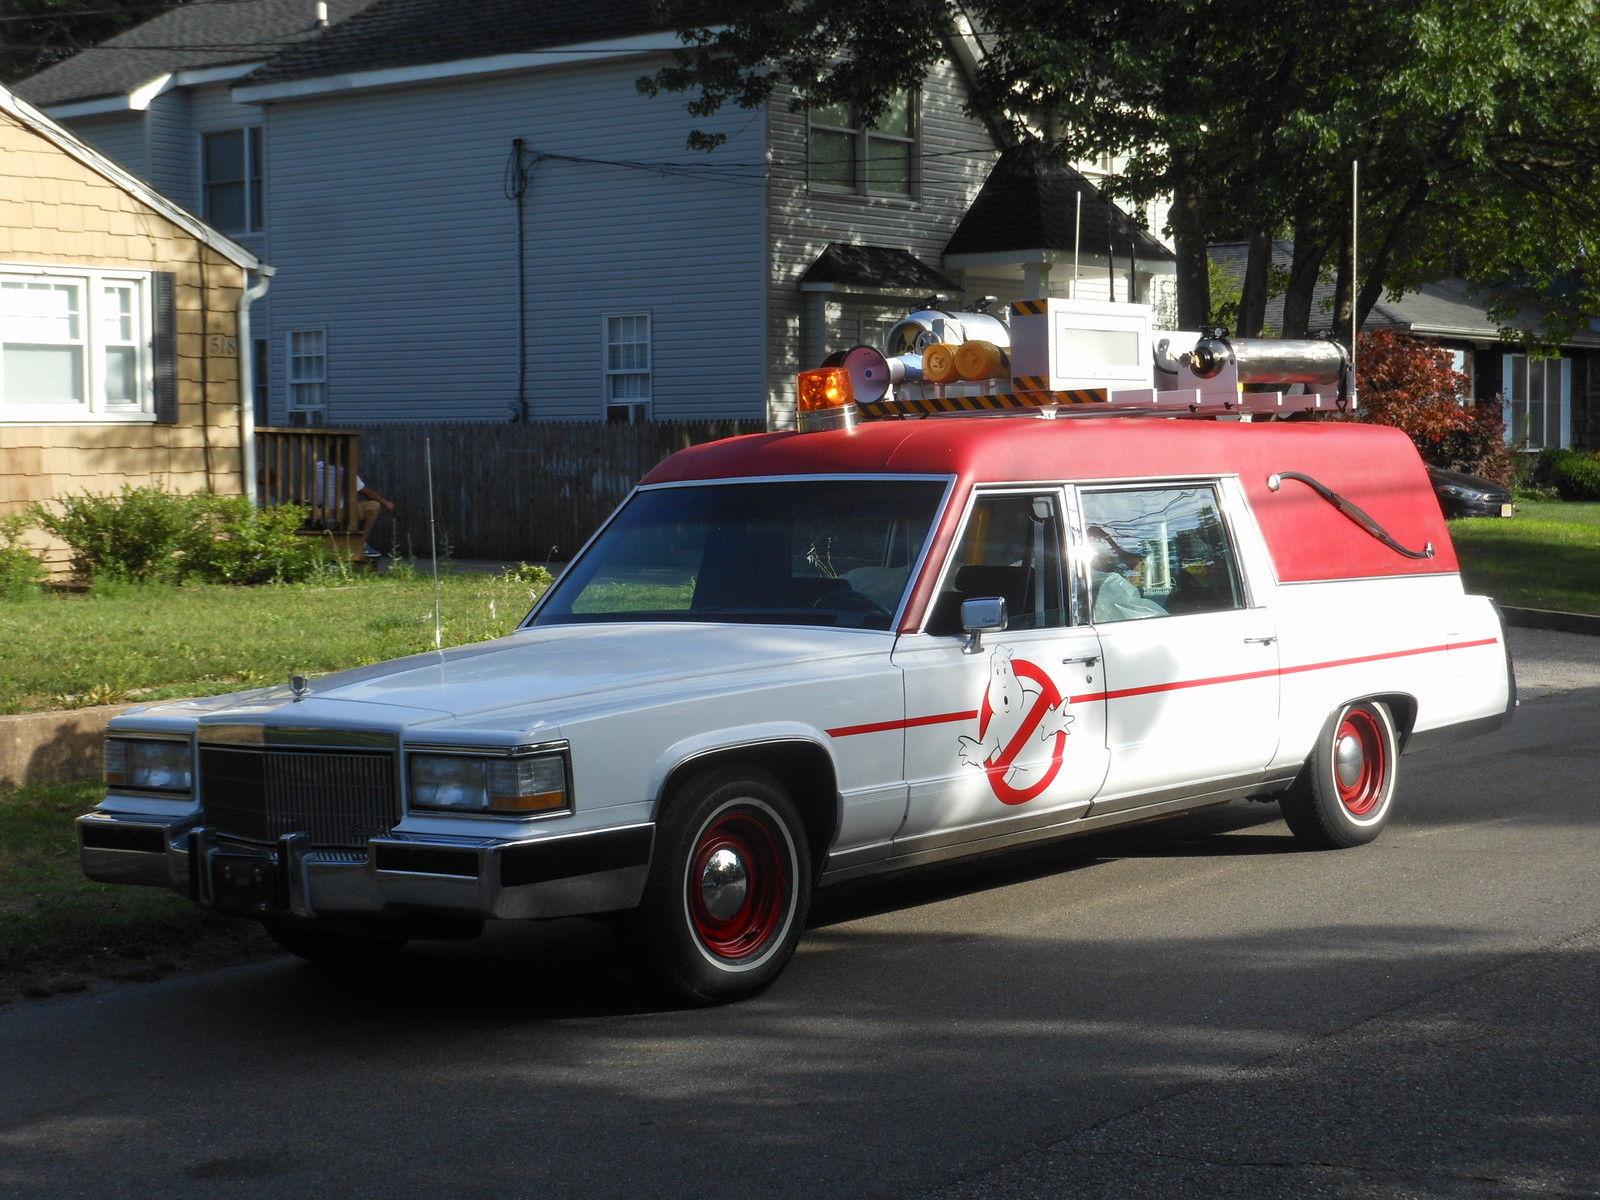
pixel 1548 556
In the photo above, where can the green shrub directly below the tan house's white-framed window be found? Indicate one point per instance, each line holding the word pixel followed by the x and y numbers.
pixel 130 537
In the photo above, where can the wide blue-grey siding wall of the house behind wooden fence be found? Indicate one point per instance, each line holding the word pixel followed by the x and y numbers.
pixel 391 230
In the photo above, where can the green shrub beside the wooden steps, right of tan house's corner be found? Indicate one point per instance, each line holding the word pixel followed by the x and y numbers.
pixel 231 543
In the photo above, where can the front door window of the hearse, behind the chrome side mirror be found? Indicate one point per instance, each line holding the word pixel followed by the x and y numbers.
pixel 1012 550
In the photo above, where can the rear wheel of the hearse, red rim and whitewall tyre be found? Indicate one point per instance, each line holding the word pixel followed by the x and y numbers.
pixel 1346 790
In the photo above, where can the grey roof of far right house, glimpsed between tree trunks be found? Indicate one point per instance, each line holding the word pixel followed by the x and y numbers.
pixel 1449 308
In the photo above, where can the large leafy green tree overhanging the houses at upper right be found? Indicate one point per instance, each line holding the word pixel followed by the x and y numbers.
pixel 1476 124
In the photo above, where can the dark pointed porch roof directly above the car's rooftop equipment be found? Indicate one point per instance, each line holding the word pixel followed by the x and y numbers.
pixel 1031 201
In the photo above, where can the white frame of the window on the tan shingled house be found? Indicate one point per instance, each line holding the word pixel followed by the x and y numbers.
pixel 94 407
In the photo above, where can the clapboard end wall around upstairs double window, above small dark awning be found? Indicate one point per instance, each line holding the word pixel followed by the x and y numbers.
pixel 956 158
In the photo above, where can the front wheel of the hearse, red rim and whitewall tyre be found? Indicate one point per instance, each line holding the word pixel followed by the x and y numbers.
pixel 730 884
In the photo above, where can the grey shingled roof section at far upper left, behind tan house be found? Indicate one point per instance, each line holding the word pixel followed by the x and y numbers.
pixel 215 34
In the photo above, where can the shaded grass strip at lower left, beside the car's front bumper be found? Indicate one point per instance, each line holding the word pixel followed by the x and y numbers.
pixel 58 930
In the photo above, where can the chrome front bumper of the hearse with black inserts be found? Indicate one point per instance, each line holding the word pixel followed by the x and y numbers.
pixel 559 876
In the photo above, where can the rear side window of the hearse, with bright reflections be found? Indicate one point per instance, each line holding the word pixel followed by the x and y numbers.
pixel 1159 553
